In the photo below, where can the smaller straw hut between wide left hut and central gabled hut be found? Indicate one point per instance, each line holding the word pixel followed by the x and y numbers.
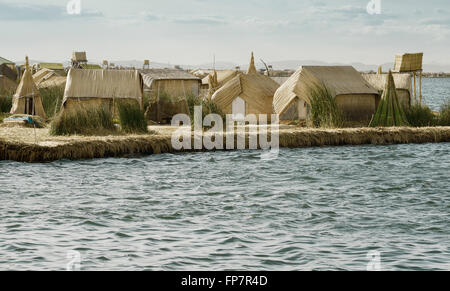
pixel 167 91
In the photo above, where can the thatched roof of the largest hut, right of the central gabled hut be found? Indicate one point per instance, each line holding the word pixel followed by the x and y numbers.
pixel 340 80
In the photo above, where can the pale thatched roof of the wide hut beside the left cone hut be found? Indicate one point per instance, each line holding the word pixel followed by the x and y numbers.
pixel 103 84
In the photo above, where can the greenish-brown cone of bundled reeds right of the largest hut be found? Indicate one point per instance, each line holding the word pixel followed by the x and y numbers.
pixel 389 112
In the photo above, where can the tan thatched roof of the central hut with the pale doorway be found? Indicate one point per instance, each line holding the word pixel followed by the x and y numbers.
pixel 257 90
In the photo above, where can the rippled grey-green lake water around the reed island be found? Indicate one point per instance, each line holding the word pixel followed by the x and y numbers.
pixel 310 209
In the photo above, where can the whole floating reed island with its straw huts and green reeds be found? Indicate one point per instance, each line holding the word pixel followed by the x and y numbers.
pixel 91 112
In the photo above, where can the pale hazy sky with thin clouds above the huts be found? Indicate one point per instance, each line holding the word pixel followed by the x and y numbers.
pixel 192 31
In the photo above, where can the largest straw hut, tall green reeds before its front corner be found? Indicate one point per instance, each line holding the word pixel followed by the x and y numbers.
pixel 354 96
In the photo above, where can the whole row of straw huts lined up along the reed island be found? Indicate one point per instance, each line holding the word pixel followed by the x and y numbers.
pixel 238 93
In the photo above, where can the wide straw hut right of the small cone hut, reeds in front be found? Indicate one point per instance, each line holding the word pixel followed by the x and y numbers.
pixel 102 88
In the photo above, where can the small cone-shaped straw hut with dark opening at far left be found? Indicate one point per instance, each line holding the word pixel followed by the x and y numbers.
pixel 27 99
